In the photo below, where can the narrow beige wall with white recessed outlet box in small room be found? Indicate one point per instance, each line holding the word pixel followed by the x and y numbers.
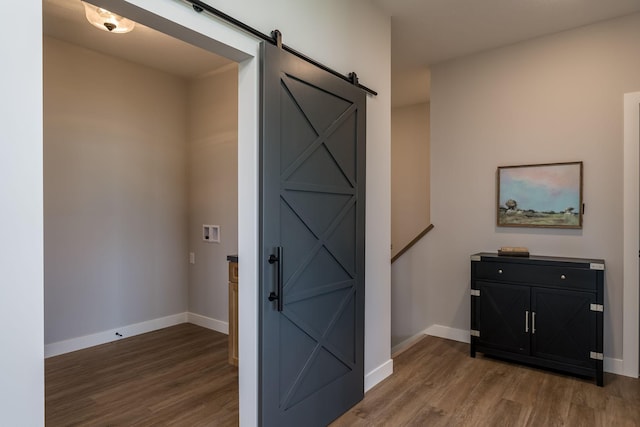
pixel 213 187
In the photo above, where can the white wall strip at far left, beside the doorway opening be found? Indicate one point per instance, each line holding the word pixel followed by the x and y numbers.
pixel 21 270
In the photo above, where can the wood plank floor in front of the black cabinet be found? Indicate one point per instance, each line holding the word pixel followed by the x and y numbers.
pixel 436 383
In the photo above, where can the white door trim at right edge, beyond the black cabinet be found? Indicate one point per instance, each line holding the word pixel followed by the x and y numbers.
pixel 631 235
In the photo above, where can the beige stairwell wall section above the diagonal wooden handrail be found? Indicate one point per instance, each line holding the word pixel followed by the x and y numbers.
pixel 409 174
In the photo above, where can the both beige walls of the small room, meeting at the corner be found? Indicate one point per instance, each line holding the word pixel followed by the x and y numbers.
pixel 136 161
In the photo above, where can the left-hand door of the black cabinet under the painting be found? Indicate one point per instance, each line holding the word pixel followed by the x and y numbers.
pixel 503 317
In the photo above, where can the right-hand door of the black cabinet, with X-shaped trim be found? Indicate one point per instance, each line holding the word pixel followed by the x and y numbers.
pixel 563 327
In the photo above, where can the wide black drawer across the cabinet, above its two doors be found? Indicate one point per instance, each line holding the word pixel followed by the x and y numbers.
pixel 574 278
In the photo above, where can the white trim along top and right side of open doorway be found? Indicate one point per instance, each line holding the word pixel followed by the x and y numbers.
pixel 180 21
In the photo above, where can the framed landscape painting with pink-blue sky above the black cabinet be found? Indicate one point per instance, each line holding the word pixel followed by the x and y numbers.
pixel 548 195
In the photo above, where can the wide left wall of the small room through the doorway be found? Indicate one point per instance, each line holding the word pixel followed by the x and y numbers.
pixel 115 192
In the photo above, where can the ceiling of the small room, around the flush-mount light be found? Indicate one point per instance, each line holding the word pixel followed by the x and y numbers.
pixel 65 20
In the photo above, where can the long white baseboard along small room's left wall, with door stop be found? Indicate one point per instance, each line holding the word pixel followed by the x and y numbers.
pixel 73 344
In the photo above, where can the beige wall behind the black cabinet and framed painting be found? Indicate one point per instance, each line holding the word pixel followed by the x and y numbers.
pixel 553 99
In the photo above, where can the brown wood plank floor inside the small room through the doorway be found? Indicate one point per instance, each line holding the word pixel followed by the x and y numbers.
pixel 175 376
